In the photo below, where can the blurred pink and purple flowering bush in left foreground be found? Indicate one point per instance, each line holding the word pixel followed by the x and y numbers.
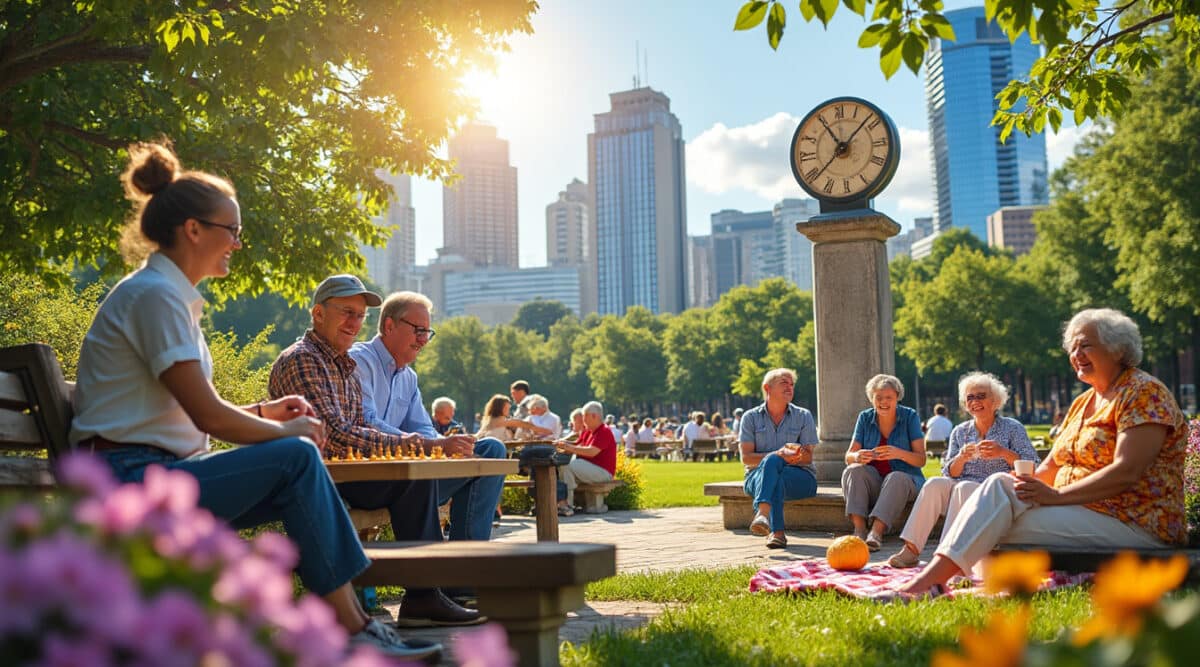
pixel 140 575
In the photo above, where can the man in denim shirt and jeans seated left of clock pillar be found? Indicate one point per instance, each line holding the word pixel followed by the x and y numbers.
pixel 777 442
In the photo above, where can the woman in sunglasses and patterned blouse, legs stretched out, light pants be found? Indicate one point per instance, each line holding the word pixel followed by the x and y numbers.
pixel 981 447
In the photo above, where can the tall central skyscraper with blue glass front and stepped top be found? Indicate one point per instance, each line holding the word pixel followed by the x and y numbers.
pixel 637 172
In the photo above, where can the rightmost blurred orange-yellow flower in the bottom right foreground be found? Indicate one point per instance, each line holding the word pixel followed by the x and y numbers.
pixel 1126 588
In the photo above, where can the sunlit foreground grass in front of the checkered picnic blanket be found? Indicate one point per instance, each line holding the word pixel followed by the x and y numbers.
pixel 718 622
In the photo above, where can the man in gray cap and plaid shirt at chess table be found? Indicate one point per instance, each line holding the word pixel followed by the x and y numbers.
pixel 320 369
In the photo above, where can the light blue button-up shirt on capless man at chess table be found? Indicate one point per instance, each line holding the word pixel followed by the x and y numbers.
pixel 392 401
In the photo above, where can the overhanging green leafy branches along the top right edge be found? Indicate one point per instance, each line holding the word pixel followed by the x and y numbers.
pixel 1095 53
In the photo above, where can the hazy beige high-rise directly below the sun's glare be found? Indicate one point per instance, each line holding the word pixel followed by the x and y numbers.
pixel 479 212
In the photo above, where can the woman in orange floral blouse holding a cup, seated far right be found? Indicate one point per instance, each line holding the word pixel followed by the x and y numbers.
pixel 1113 480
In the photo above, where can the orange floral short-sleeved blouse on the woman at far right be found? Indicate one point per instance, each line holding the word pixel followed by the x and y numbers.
pixel 1156 502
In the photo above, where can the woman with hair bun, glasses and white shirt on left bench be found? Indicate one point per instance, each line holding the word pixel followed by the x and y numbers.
pixel 145 394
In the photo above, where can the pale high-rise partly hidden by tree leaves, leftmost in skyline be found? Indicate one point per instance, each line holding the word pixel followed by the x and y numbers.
pixel 393 267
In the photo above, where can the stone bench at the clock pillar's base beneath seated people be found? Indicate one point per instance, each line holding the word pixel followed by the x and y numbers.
pixel 824 513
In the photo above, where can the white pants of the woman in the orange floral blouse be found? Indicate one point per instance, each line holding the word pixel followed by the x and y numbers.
pixel 994 514
